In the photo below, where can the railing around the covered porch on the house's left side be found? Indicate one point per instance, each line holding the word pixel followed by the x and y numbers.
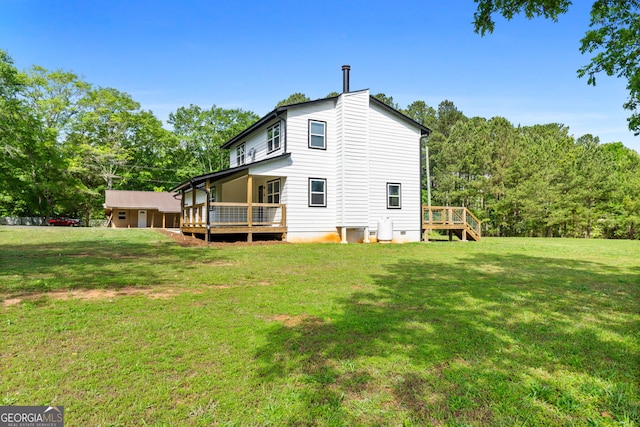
pixel 223 214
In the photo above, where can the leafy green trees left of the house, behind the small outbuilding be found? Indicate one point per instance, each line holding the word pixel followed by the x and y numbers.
pixel 65 141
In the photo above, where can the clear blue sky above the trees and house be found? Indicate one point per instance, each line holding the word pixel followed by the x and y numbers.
pixel 250 55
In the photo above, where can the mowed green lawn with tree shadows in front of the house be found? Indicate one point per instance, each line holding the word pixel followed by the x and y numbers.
pixel 127 328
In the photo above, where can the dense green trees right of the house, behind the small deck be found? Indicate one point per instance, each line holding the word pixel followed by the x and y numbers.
pixel 530 180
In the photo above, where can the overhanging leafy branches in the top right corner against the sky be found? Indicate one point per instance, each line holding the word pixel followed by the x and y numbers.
pixel 614 36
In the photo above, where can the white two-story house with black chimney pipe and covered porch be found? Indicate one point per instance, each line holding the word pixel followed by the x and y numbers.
pixel 333 169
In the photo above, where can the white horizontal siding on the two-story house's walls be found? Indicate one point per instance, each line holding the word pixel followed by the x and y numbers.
pixel 367 147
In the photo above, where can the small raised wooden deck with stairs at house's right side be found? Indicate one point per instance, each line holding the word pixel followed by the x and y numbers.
pixel 457 220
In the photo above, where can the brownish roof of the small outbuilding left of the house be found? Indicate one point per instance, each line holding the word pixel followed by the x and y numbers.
pixel 162 201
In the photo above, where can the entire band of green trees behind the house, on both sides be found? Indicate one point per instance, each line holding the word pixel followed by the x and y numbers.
pixel 65 141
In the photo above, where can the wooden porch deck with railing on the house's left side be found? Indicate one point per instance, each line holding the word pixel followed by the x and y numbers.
pixel 246 219
